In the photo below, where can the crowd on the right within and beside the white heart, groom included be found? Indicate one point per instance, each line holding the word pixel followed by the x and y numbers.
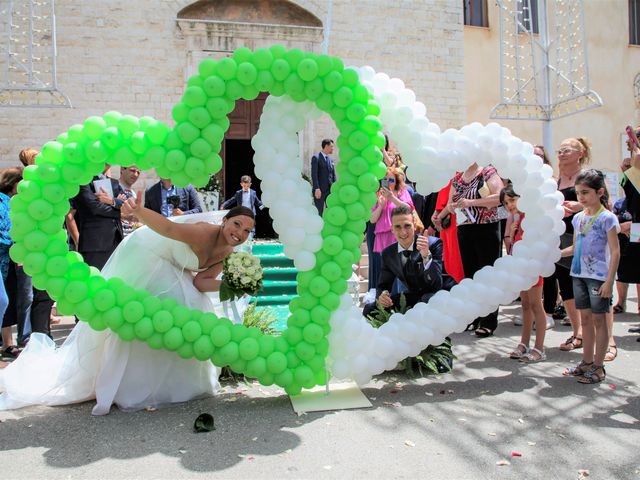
pixel 477 219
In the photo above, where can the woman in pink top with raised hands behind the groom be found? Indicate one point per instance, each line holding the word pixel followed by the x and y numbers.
pixel 388 199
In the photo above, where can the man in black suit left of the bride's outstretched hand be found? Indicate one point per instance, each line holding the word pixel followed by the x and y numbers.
pixel 97 215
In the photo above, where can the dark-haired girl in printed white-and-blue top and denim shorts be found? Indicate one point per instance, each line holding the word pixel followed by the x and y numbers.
pixel 596 254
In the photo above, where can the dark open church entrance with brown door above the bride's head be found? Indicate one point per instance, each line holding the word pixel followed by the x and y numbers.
pixel 237 157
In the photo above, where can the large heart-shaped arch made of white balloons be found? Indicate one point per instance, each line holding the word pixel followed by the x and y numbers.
pixel 357 350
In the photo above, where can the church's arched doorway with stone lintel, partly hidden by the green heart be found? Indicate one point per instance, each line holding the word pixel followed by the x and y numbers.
pixel 215 28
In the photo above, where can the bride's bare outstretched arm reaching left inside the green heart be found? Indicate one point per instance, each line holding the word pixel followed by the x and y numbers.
pixel 191 234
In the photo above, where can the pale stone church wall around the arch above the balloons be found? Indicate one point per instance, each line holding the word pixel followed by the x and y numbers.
pixel 134 58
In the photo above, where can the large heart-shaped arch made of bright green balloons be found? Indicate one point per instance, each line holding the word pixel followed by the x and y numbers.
pixel 189 153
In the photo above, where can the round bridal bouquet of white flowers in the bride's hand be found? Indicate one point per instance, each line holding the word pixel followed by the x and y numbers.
pixel 241 275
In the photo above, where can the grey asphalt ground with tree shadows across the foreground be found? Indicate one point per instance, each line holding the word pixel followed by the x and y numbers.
pixel 491 418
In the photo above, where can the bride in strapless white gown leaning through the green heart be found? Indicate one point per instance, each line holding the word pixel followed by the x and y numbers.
pixel 161 258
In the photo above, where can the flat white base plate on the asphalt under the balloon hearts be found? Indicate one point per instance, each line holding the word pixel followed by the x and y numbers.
pixel 339 396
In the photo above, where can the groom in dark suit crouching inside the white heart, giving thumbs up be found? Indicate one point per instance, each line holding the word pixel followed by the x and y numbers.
pixel 414 259
